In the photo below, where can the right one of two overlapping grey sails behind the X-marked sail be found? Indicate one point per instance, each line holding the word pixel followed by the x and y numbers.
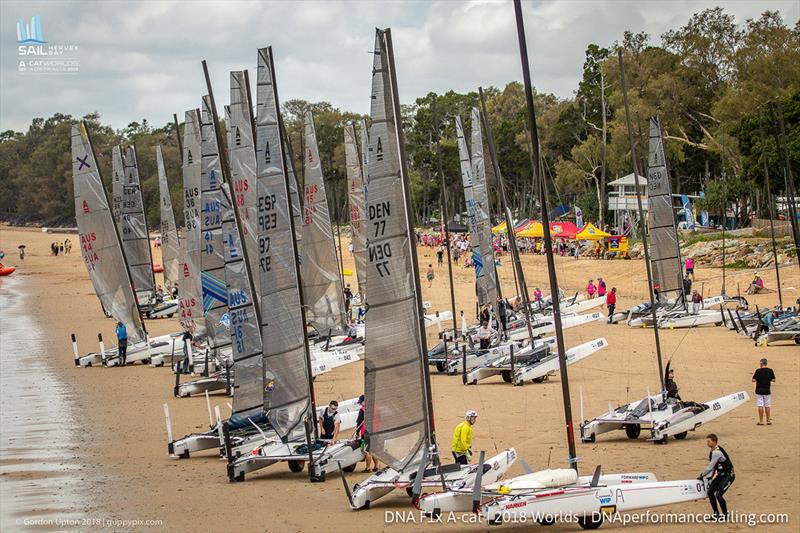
pixel 135 237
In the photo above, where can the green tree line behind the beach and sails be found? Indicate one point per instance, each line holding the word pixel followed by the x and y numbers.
pixel 714 84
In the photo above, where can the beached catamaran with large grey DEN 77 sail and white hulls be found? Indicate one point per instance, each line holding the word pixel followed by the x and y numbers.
pixel 399 406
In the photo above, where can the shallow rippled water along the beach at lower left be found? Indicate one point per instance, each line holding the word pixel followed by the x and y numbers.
pixel 40 476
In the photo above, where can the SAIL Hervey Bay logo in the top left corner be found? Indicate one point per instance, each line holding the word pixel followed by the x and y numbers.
pixel 37 55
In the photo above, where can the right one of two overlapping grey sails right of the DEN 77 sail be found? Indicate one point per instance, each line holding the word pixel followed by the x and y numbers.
pixel 482 251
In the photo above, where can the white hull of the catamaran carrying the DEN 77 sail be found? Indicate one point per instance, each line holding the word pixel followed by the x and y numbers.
pixel 384 482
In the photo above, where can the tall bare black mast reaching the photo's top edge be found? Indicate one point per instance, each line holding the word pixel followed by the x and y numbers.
pixel 548 241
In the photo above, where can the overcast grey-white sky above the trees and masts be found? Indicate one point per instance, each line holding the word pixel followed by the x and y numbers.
pixel 141 59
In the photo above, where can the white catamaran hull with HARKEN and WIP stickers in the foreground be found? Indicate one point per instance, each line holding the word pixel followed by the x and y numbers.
pixel 589 504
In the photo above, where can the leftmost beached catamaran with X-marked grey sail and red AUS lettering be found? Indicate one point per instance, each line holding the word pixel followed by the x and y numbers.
pixel 103 255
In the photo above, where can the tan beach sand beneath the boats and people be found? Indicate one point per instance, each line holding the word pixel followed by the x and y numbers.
pixel 120 452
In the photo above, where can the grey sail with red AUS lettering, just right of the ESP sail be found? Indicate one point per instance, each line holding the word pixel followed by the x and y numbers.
pixel 322 281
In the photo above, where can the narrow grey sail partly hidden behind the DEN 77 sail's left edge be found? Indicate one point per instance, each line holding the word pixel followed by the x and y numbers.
pixel 355 198
